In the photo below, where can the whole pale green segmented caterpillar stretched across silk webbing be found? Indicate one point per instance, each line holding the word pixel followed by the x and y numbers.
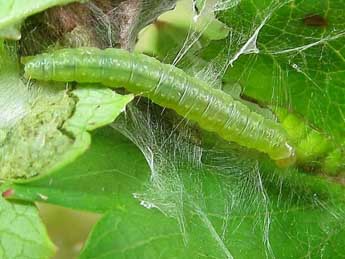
pixel 169 87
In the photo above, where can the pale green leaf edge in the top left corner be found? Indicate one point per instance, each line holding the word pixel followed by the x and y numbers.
pixel 13 12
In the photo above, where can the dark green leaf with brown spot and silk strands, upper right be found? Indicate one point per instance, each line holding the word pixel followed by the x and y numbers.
pixel 280 57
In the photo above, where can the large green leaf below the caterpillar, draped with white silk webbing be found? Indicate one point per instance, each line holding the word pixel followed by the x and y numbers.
pixel 244 210
